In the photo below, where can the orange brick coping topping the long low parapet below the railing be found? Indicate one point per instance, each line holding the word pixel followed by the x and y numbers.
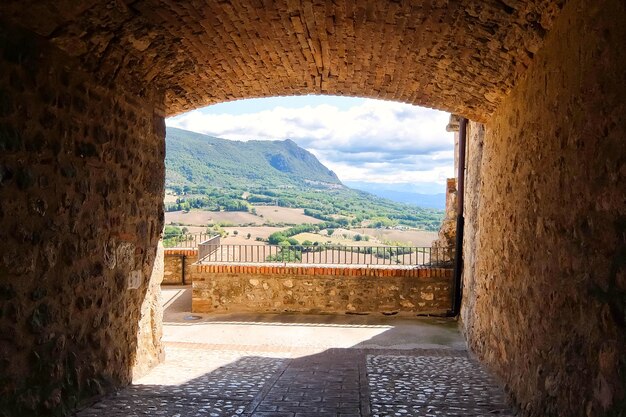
pixel 337 270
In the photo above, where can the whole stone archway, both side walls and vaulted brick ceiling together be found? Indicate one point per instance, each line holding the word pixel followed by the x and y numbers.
pixel 84 93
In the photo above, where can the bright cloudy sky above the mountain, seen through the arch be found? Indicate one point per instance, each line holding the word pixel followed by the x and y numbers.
pixel 396 146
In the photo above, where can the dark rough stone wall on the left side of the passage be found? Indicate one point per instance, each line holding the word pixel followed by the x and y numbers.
pixel 81 195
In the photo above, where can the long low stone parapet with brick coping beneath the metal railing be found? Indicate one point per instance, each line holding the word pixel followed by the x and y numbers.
pixel 224 288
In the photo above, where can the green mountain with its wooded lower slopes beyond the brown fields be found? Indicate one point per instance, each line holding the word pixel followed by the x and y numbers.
pixel 217 174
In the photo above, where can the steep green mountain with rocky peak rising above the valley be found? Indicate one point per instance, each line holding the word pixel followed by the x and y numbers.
pixel 196 159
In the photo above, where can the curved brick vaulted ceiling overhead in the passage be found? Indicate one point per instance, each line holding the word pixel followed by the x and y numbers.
pixel 456 55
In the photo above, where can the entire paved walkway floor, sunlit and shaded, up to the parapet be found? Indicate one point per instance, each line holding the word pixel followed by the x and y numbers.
pixel 301 367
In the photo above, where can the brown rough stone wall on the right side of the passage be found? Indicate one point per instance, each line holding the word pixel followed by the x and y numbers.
pixel 547 302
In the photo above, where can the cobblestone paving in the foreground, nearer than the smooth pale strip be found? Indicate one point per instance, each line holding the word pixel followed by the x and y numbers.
pixel 200 380
